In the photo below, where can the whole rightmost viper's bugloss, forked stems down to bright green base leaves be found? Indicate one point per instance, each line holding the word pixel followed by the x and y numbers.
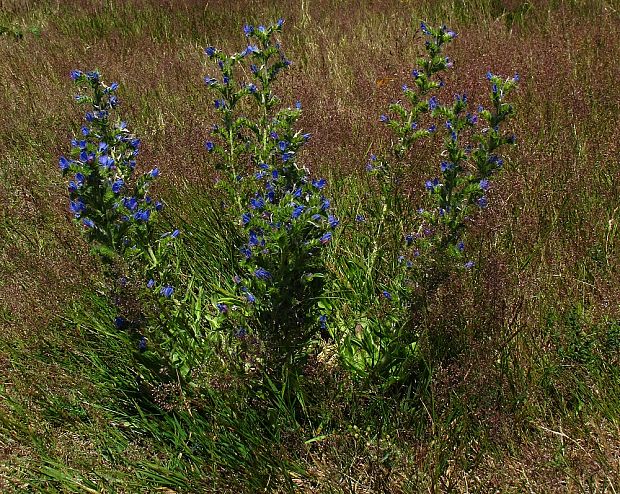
pixel 432 242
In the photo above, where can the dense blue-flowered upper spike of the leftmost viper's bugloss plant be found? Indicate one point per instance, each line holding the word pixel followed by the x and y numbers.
pixel 115 211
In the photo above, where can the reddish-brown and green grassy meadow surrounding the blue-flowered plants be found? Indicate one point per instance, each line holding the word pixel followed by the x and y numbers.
pixel 518 384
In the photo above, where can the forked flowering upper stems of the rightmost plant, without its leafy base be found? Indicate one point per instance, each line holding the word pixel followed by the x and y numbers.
pixel 469 156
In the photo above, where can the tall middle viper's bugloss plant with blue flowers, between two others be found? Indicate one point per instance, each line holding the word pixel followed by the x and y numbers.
pixel 286 217
